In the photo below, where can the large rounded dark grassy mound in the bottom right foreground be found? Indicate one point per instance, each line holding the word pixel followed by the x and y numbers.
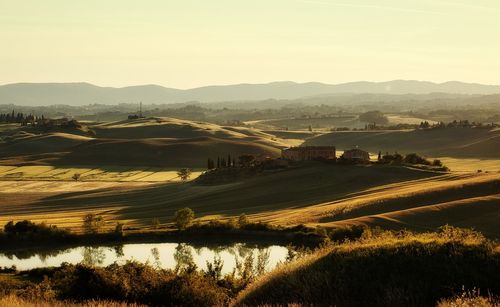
pixel 384 269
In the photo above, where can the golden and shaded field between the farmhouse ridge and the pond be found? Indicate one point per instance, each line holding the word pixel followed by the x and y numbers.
pixel 330 196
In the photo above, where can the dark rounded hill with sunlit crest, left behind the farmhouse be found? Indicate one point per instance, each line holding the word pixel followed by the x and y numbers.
pixel 146 142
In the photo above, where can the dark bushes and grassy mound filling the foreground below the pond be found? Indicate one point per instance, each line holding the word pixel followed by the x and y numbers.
pixel 380 268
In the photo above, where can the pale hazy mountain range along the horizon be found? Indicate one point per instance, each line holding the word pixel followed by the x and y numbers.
pixel 77 94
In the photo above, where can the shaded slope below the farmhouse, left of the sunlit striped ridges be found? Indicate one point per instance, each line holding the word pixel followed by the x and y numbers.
pixel 269 196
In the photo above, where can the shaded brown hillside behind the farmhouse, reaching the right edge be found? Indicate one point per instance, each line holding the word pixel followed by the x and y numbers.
pixel 452 142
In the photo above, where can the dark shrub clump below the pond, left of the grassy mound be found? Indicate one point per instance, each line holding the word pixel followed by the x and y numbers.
pixel 136 282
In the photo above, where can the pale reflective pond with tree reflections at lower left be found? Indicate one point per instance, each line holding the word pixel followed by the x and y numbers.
pixel 164 255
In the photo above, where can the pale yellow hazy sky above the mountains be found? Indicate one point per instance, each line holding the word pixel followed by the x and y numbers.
pixel 192 43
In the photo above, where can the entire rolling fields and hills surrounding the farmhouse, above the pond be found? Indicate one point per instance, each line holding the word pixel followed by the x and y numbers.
pixel 145 185
